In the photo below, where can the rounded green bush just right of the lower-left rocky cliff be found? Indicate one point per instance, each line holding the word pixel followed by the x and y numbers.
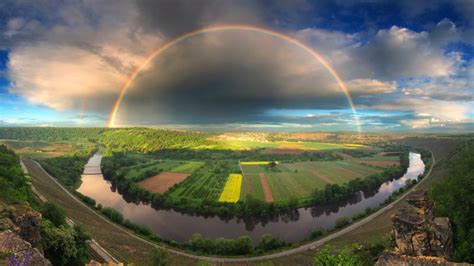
pixel 64 245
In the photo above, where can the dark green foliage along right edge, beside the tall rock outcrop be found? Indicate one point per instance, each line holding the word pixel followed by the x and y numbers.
pixel 453 197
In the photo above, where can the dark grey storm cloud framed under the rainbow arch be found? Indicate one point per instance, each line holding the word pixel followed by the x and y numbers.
pixel 217 79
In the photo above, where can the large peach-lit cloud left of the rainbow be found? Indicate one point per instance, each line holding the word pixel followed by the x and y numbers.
pixel 75 62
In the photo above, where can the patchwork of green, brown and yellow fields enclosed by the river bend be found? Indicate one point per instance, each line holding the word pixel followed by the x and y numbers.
pixel 234 175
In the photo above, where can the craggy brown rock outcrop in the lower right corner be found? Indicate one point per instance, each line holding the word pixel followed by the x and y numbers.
pixel 420 238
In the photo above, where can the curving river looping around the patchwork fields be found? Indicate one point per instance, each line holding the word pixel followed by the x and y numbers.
pixel 177 226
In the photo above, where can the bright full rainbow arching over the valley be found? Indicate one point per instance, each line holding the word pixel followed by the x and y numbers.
pixel 233 27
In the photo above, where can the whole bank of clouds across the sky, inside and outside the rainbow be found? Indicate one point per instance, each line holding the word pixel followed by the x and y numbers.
pixel 76 55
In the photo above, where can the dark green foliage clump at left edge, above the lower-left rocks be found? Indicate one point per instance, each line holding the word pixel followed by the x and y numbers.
pixel 14 187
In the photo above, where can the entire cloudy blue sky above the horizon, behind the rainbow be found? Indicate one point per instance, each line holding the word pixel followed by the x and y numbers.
pixel 408 65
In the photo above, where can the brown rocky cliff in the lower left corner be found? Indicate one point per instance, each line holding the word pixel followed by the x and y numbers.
pixel 20 236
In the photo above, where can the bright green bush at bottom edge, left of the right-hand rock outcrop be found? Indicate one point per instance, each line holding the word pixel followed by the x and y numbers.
pixel 345 257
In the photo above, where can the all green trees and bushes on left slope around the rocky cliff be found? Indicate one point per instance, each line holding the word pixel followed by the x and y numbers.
pixel 62 245
